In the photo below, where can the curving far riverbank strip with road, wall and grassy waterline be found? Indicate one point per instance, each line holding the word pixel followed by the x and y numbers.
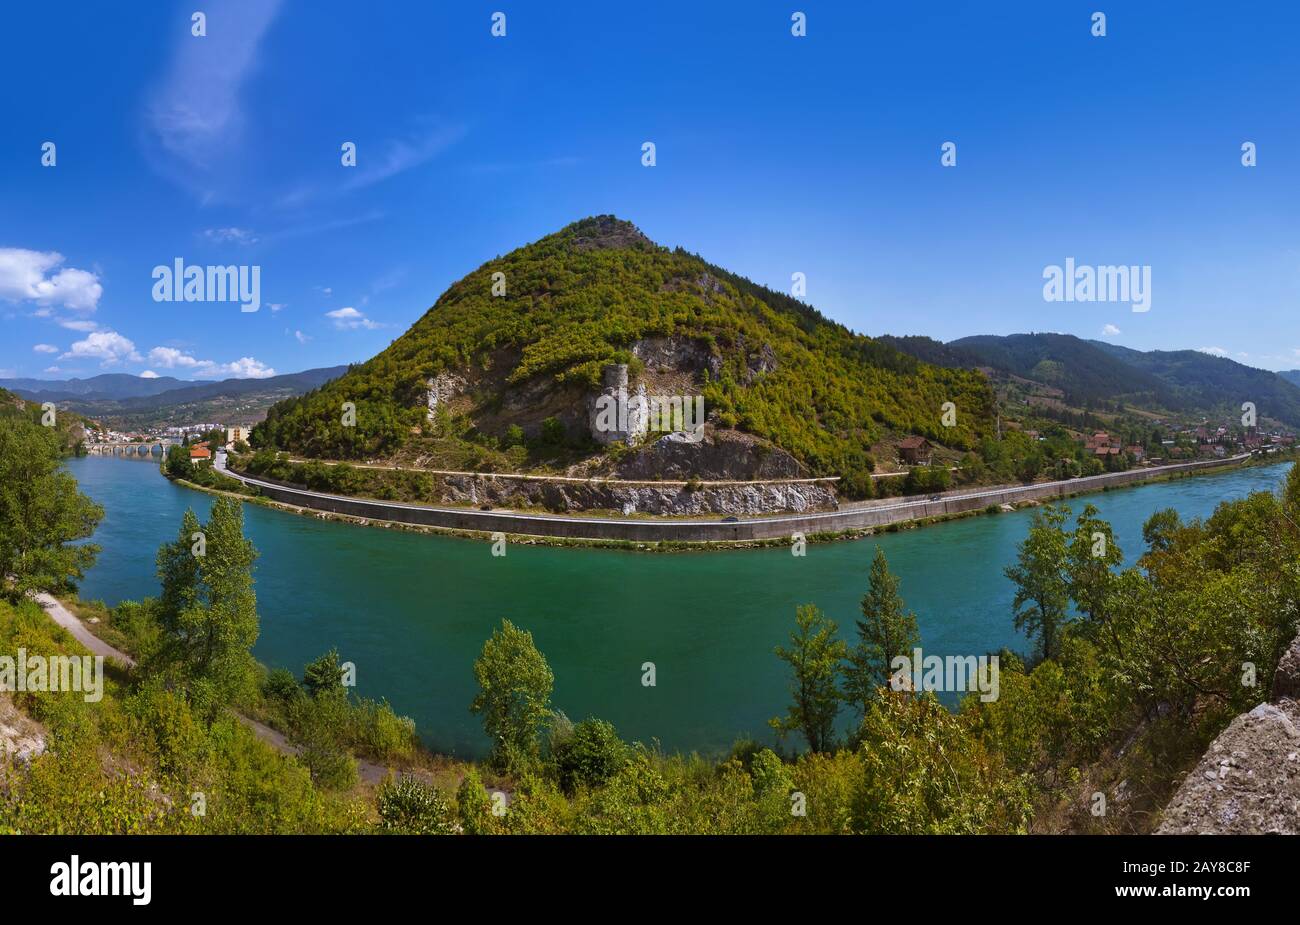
pixel 670 536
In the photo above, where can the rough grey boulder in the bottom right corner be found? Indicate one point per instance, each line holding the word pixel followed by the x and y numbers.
pixel 1250 780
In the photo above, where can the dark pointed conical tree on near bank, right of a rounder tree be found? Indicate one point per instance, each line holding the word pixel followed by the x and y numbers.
pixel 886 632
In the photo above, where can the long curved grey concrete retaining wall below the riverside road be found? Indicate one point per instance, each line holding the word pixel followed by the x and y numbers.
pixel 873 514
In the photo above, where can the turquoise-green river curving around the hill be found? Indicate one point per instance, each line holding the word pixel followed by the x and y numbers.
pixel 413 611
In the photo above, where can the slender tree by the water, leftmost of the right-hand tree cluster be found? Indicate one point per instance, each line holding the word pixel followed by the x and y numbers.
pixel 1042 593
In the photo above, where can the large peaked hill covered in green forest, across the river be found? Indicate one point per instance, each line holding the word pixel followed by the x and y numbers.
pixel 521 368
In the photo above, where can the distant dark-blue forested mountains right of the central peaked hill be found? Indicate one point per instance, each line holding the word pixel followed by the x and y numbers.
pixel 1090 371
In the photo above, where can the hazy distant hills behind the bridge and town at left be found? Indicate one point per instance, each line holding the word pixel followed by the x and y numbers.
pixel 132 402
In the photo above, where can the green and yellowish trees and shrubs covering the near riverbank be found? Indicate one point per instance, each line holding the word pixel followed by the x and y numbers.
pixel 1130 675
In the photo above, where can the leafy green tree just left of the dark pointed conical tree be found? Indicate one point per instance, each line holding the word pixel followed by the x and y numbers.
pixel 814 658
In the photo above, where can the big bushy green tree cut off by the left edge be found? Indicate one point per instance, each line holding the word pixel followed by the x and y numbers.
pixel 41 514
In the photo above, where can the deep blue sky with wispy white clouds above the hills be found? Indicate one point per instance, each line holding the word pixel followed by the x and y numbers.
pixel 777 155
